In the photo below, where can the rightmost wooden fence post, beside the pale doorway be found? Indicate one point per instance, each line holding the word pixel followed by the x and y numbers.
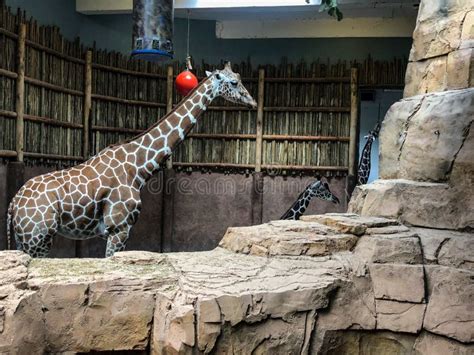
pixel 353 151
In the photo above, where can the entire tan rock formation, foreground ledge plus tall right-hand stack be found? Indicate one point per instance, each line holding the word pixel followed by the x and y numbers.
pixel 395 278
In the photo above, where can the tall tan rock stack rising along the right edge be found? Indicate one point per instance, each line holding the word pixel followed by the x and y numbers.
pixel 426 141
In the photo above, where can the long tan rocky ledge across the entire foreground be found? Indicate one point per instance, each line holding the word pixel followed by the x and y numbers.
pixel 329 284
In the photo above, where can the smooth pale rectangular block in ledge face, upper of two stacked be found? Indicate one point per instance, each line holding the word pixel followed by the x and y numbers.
pixel 397 282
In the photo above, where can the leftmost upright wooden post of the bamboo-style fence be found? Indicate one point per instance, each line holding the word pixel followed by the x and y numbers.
pixel 20 93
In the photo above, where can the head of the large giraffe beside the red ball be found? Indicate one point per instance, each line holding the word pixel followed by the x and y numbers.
pixel 228 85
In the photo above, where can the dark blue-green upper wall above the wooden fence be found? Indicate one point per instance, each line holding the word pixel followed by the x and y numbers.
pixel 114 32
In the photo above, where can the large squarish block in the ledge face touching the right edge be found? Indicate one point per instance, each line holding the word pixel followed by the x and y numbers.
pixel 450 310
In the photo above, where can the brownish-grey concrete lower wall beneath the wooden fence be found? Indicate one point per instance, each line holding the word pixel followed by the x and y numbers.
pixel 186 212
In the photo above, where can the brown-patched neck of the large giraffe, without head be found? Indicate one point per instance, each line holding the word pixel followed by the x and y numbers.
pixel 156 145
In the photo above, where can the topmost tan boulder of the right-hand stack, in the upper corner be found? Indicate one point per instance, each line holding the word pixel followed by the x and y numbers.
pixel 441 57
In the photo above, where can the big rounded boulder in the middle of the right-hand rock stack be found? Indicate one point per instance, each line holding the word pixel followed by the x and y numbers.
pixel 421 135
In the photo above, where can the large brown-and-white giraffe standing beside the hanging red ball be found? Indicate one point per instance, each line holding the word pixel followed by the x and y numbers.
pixel 101 197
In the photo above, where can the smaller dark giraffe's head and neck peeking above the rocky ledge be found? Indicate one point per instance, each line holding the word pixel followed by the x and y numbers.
pixel 317 189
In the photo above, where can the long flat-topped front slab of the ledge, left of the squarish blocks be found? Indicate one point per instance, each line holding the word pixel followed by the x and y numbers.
pixel 137 300
